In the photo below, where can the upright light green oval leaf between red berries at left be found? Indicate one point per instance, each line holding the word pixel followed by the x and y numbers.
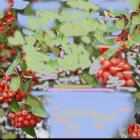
pixel 15 83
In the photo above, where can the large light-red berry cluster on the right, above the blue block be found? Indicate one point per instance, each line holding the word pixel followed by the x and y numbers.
pixel 115 67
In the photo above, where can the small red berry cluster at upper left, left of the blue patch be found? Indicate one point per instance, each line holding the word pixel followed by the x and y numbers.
pixel 9 18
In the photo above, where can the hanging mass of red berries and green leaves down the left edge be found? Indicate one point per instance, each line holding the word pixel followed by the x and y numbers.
pixel 16 81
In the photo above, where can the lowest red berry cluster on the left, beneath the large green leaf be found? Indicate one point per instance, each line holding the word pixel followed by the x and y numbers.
pixel 23 119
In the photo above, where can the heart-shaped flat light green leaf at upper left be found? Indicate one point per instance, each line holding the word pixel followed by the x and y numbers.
pixel 17 39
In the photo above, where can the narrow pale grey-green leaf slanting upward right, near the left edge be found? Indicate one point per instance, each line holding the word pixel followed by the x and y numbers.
pixel 12 67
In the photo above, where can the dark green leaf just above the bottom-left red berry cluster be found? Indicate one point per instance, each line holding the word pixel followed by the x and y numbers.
pixel 14 105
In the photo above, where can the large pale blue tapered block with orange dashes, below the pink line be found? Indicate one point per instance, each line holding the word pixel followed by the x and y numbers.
pixel 104 102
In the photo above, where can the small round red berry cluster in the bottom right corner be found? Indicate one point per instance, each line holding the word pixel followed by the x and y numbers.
pixel 134 130
